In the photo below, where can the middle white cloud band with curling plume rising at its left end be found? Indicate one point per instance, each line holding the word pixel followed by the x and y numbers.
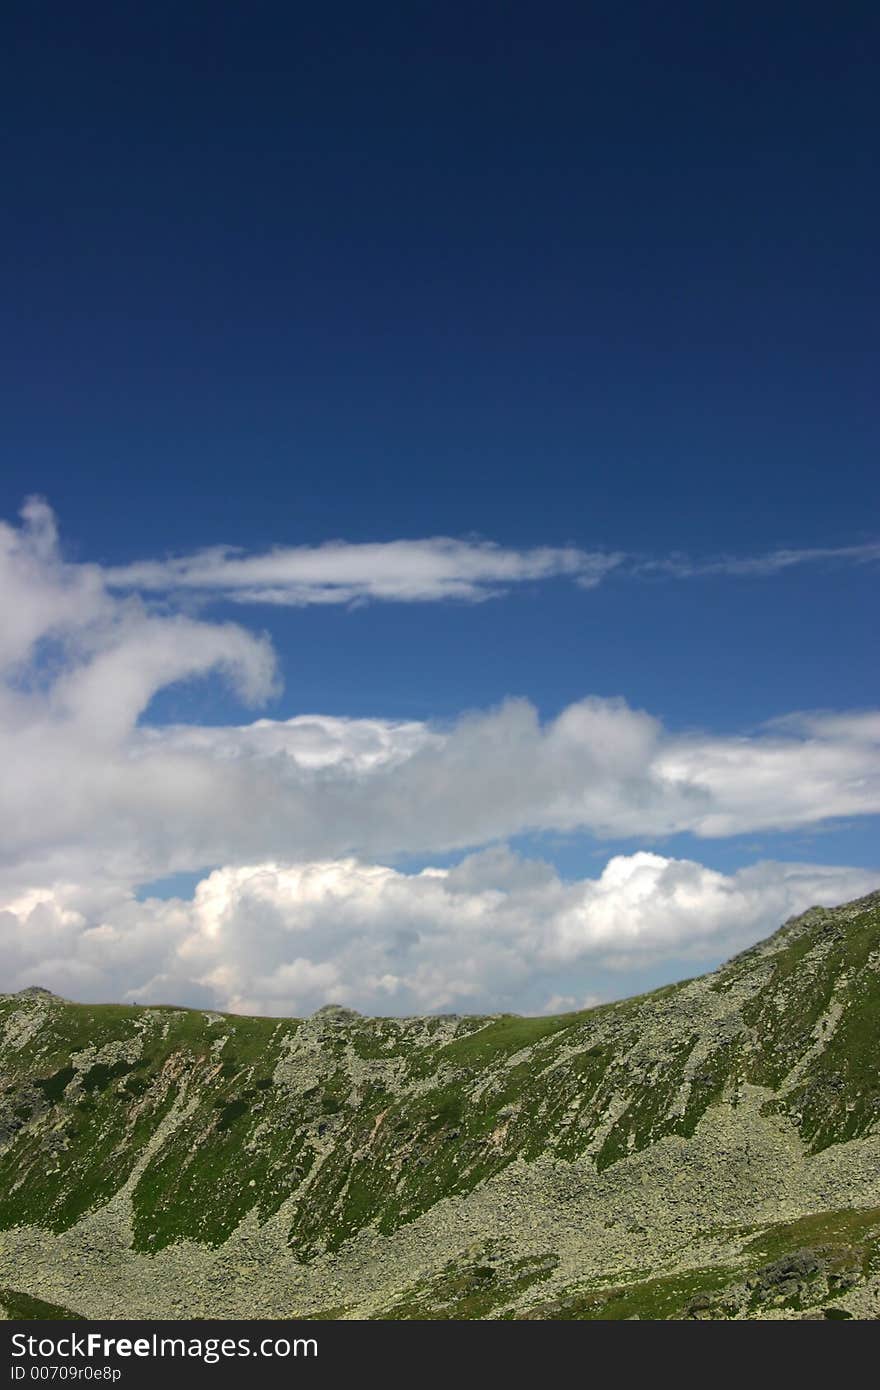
pixel 87 785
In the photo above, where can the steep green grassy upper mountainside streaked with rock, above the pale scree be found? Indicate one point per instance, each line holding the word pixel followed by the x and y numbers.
pixel 350 1122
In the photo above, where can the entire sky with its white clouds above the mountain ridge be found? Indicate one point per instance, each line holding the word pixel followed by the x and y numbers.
pixel 439 494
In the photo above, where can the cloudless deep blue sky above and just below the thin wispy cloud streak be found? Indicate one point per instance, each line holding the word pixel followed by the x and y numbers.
pixel 598 275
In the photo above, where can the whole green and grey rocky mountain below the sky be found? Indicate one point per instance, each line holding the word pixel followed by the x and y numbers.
pixel 708 1150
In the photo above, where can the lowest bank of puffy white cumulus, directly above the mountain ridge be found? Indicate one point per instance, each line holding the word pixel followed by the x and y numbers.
pixel 487 935
